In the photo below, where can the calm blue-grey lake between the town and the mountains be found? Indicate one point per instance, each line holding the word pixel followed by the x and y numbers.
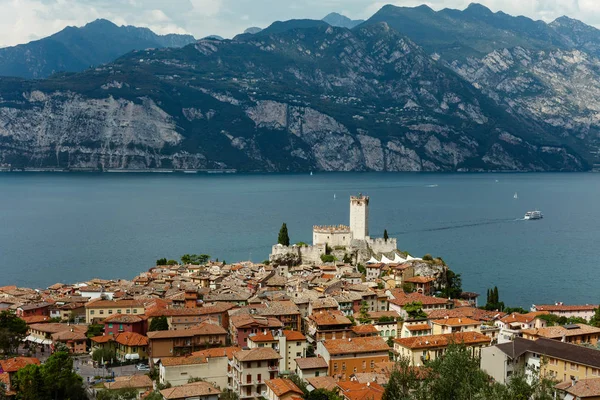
pixel 73 227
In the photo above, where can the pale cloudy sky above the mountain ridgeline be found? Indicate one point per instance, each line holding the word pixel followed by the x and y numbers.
pixel 25 20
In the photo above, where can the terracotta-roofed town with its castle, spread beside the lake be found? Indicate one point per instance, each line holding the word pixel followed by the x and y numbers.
pixel 336 316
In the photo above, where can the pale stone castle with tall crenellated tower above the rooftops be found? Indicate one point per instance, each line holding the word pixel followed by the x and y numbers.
pixel 353 241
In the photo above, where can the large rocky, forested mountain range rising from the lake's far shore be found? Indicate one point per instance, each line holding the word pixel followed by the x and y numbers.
pixel 410 89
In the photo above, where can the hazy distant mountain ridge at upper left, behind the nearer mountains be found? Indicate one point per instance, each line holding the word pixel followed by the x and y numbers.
pixel 75 49
